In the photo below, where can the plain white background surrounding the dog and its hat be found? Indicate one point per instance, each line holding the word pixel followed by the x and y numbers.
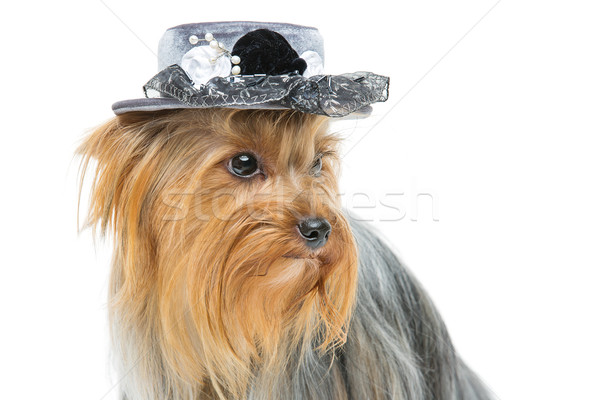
pixel 499 126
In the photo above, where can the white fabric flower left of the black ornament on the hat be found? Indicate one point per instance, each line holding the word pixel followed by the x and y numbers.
pixel 196 63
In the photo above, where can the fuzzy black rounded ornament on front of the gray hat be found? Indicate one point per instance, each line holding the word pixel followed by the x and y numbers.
pixel 266 52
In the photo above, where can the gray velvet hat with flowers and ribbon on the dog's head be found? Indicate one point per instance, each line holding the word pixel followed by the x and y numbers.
pixel 255 65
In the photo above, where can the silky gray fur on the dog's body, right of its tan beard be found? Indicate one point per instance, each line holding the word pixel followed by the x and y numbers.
pixel 397 349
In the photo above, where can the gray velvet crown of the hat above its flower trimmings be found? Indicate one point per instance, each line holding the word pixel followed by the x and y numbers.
pixel 175 42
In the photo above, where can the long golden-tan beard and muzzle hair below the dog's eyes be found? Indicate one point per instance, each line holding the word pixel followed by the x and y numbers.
pixel 241 290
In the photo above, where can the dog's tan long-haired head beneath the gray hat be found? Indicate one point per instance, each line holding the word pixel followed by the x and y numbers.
pixel 231 247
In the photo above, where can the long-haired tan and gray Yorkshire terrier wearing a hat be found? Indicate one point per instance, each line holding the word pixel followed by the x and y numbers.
pixel 238 275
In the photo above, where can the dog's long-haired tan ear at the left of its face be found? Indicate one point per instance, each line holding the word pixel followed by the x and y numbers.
pixel 121 159
